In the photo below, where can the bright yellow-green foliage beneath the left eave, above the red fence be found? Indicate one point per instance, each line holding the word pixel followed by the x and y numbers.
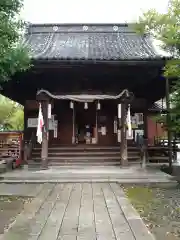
pixel 11 115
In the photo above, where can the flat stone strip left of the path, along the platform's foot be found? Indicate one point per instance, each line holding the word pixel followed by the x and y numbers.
pixel 22 190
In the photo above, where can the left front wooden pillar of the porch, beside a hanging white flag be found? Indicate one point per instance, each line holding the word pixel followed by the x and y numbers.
pixel 45 133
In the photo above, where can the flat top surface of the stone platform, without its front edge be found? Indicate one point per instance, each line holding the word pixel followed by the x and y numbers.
pixel 104 172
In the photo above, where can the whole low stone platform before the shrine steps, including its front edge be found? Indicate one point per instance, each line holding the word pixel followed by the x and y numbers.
pixel 130 174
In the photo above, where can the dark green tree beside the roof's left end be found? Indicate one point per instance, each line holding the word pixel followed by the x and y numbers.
pixel 13 57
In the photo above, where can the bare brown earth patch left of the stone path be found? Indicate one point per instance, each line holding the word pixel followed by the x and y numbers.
pixel 10 207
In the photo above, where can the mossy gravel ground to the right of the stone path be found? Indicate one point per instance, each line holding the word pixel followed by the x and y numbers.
pixel 159 206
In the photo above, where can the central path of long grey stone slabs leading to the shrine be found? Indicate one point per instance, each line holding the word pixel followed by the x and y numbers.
pixel 82 211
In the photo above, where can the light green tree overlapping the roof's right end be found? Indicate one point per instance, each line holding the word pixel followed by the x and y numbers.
pixel 166 28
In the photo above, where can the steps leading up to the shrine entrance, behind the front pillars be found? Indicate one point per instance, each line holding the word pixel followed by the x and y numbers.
pixel 85 155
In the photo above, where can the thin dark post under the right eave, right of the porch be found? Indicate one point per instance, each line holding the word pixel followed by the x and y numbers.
pixel 168 121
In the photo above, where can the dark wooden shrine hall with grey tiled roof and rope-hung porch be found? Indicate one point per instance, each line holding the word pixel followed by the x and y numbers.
pixel 81 74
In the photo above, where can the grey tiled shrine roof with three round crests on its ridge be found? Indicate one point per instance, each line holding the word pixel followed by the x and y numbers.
pixel 90 42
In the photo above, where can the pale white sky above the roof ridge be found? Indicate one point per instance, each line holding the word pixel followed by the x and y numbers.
pixel 88 11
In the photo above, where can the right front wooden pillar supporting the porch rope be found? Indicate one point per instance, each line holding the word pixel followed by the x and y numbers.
pixel 123 146
